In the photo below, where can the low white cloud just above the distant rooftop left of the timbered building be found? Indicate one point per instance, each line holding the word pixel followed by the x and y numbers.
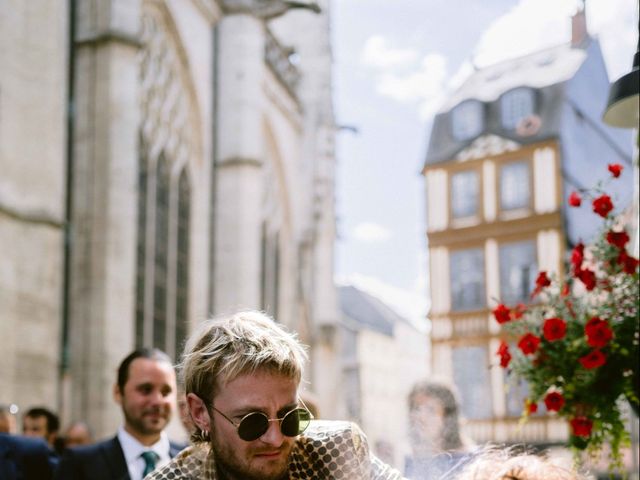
pixel 411 305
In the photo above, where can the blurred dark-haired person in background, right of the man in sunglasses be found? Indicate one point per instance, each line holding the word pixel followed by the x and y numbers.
pixel 438 446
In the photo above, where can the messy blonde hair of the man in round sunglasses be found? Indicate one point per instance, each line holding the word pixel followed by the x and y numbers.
pixel 222 349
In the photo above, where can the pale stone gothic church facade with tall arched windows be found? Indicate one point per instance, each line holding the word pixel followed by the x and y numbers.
pixel 161 161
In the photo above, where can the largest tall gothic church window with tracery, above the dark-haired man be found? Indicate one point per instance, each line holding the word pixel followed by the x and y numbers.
pixel 170 147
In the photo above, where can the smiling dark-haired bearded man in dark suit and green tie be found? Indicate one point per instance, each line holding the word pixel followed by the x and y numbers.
pixel 146 393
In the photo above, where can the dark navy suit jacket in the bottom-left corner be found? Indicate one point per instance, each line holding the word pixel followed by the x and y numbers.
pixel 25 458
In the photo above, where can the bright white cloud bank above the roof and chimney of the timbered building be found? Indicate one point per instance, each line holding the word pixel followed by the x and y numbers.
pixel 404 76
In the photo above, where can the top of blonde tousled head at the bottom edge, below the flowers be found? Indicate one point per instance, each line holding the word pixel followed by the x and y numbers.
pixel 496 463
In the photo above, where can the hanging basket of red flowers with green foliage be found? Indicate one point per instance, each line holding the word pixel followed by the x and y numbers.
pixel 576 344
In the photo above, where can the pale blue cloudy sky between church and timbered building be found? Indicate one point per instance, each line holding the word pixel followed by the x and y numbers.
pixel 395 61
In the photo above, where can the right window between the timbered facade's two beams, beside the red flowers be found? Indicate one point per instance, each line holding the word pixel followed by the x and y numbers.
pixel 518 269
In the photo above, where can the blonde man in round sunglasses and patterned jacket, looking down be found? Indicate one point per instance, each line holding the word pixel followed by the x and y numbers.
pixel 242 376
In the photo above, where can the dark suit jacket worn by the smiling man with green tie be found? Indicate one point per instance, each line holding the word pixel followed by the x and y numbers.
pixel 101 461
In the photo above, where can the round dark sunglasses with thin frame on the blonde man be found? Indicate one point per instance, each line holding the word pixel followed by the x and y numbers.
pixel 255 424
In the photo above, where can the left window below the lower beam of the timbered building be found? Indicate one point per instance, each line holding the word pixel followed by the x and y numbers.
pixel 471 377
